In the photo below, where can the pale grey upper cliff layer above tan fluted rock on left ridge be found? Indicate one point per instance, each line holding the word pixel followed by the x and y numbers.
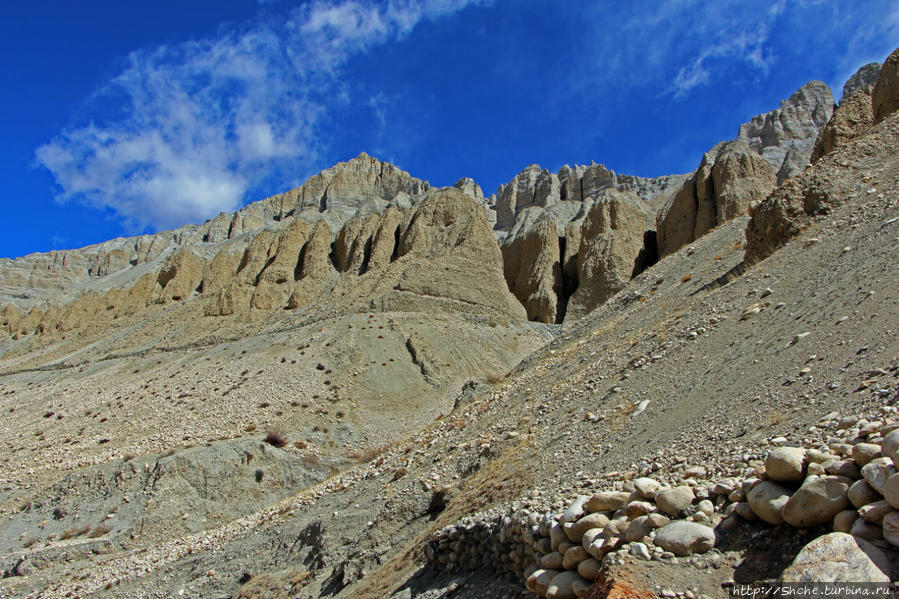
pixel 363 184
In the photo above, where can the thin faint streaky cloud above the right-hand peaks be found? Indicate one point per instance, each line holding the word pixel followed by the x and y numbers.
pixel 684 45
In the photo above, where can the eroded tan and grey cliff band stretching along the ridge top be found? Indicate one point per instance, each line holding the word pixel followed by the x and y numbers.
pixel 565 239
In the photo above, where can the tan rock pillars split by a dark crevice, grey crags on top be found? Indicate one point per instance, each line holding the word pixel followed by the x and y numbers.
pixel 547 254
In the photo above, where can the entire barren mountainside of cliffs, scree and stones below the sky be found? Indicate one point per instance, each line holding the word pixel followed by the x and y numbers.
pixel 585 384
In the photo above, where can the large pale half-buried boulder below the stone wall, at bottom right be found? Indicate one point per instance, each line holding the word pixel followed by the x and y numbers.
pixel 838 557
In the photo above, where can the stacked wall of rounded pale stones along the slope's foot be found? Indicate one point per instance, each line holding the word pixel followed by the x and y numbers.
pixel 849 483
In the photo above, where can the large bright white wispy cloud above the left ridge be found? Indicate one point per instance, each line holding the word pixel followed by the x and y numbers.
pixel 200 124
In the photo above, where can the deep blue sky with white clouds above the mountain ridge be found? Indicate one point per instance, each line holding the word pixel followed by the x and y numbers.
pixel 119 118
